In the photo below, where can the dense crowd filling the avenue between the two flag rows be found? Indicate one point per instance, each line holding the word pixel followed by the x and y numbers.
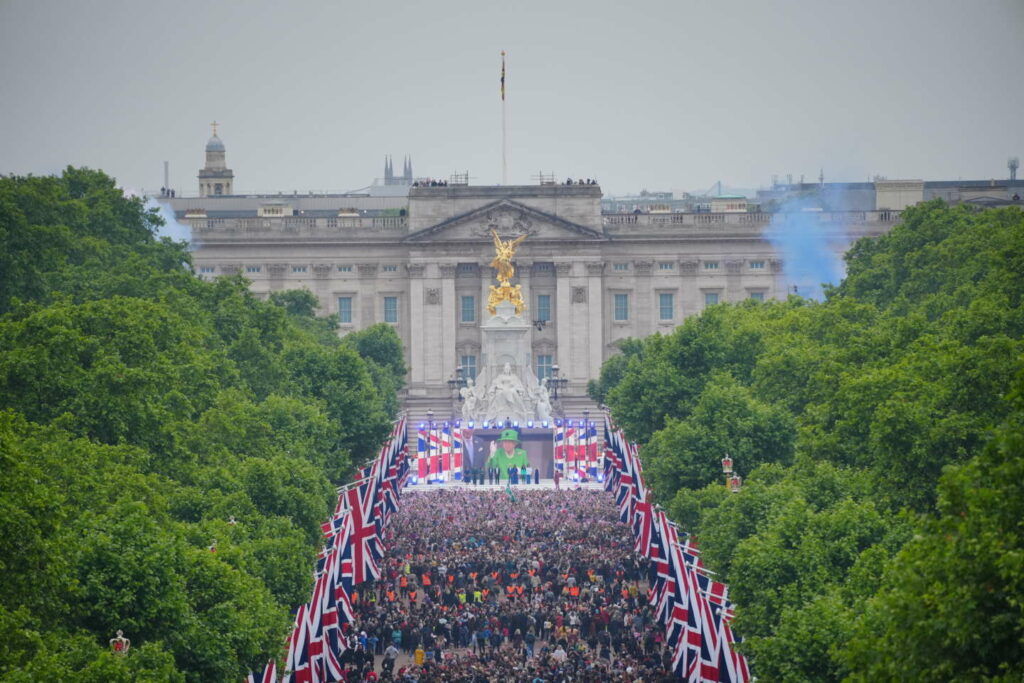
pixel 536 586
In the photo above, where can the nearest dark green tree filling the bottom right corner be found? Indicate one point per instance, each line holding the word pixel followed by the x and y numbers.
pixel 950 608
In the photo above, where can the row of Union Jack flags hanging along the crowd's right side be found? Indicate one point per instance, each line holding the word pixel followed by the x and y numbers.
pixel 695 609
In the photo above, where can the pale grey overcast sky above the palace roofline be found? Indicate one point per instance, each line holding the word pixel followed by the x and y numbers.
pixel 658 96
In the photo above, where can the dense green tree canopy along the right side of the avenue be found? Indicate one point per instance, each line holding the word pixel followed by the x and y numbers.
pixel 877 534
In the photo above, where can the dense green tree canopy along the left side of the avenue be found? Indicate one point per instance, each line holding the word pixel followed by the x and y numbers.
pixel 169 446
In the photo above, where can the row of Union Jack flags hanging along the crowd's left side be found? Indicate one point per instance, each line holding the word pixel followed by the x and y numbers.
pixel 354 547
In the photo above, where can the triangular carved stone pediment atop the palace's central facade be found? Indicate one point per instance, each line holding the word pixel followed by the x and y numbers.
pixel 509 220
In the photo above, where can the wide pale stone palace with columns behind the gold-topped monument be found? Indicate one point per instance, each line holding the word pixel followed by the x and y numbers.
pixel 416 255
